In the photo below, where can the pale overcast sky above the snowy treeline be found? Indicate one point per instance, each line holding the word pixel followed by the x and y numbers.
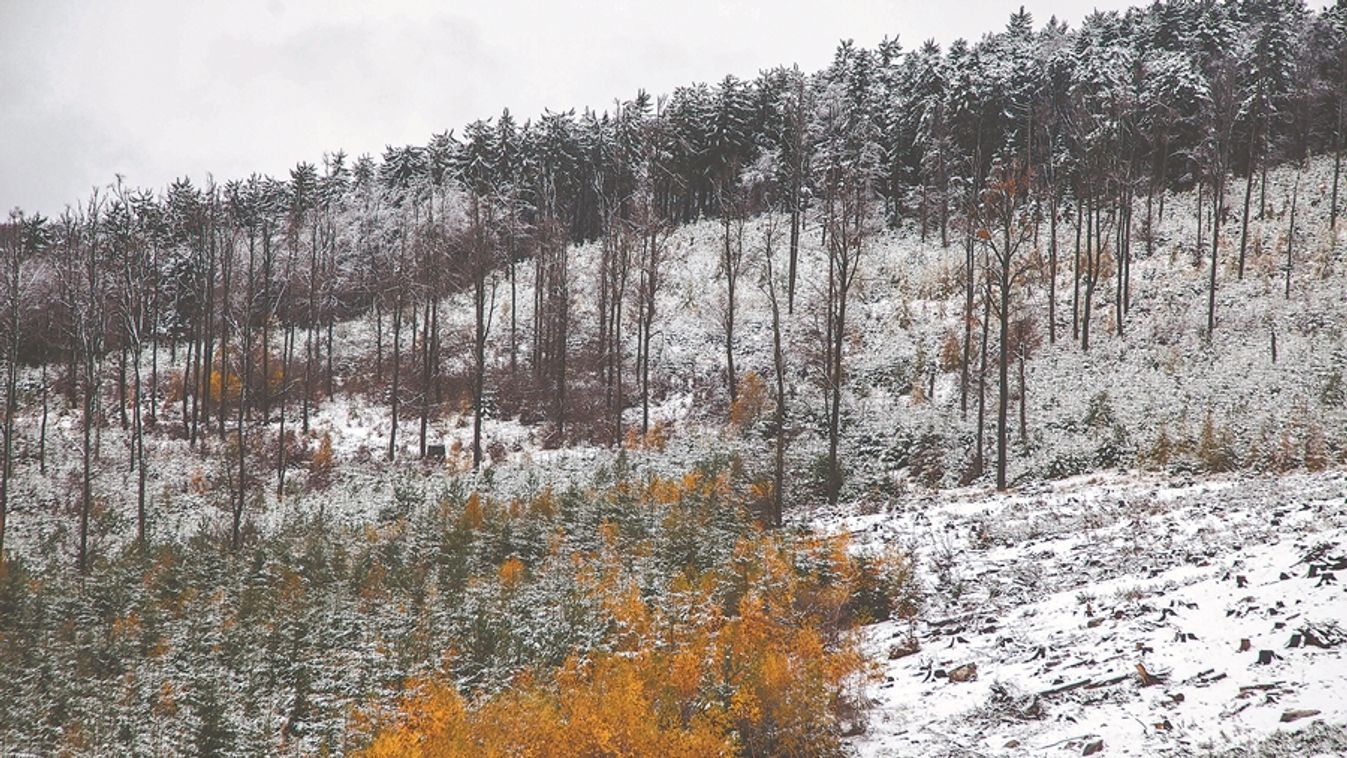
pixel 169 88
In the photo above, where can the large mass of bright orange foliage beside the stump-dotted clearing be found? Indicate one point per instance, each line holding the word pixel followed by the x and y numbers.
pixel 750 659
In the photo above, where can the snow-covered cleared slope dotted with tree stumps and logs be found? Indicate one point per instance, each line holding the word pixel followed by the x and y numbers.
pixel 1226 592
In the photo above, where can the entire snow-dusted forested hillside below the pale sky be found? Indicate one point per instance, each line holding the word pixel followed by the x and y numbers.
pixel 983 399
